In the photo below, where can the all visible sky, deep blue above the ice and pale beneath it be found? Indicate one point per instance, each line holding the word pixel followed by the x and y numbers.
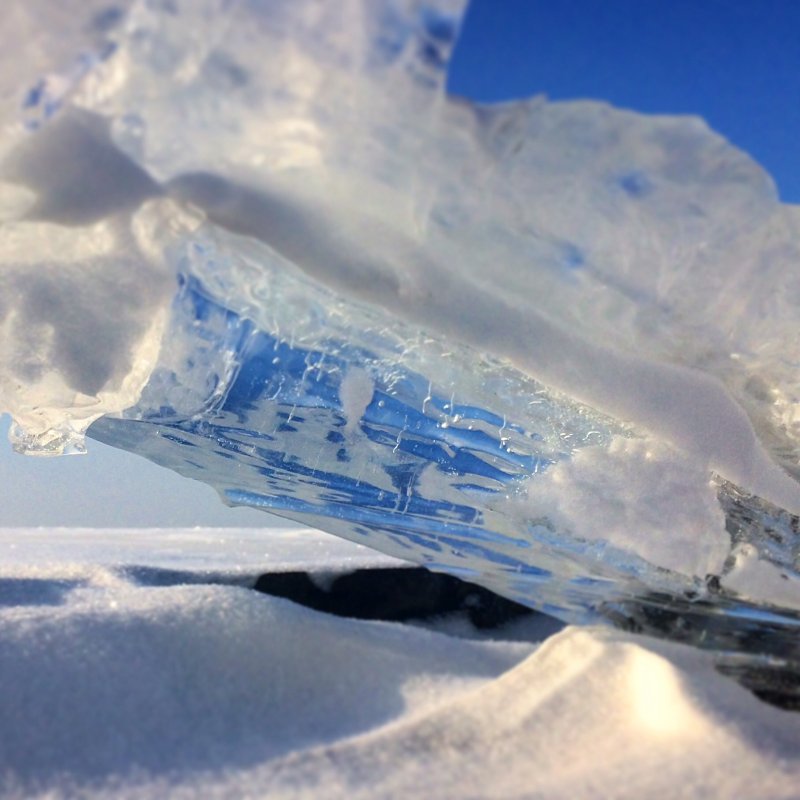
pixel 734 62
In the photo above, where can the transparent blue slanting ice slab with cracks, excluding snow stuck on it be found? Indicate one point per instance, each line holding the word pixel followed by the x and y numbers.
pixel 330 414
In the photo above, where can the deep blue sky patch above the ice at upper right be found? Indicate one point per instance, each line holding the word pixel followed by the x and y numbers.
pixel 734 62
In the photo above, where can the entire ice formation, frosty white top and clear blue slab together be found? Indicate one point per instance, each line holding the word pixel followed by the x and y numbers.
pixel 550 347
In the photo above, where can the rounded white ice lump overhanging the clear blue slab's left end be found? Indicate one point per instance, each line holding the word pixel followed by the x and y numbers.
pixel 80 328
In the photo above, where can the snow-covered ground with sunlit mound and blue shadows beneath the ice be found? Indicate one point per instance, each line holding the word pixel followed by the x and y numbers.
pixel 139 664
